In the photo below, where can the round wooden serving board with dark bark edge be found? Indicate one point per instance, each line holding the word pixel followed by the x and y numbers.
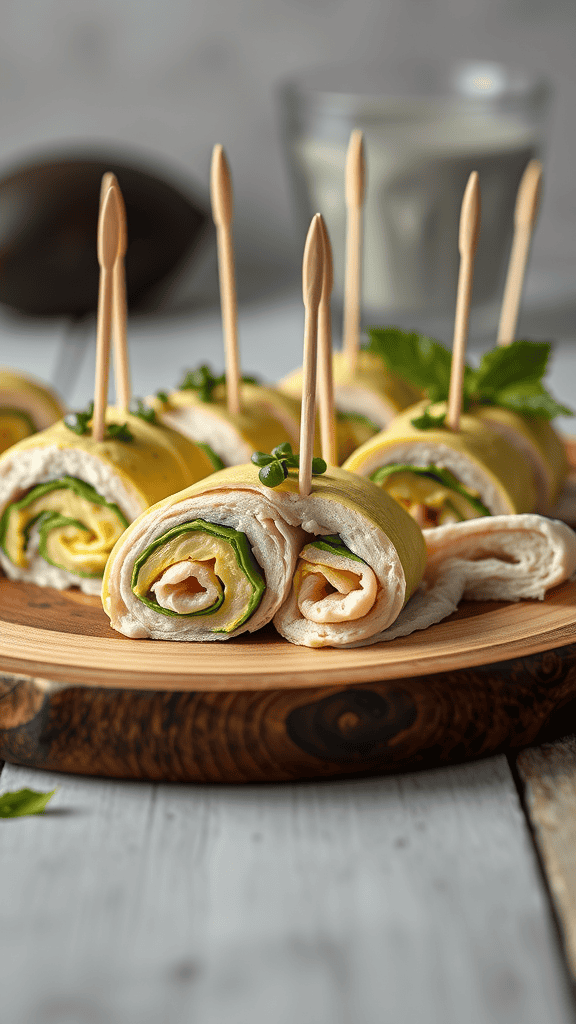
pixel 76 697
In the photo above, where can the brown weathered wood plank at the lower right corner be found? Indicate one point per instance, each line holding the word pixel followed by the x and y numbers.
pixel 549 774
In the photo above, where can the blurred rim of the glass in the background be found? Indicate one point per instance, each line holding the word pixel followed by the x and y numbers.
pixel 373 91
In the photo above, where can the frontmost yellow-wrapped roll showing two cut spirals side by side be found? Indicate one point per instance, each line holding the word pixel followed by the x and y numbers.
pixel 220 560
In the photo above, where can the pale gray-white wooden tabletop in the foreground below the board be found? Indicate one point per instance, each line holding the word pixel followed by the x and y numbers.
pixel 412 899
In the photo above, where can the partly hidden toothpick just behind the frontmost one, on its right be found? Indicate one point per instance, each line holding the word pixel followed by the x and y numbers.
pixel 325 376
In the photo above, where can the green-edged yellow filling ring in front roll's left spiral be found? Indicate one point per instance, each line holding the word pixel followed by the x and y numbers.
pixel 234 565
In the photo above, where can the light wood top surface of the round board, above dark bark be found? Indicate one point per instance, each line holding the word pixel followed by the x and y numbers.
pixel 496 634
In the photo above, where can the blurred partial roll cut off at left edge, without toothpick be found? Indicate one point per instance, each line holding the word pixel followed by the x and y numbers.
pixel 26 407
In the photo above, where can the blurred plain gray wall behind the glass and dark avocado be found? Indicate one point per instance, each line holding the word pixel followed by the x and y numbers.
pixel 176 77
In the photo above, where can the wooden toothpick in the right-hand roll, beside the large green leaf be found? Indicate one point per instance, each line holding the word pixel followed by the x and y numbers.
pixel 468 242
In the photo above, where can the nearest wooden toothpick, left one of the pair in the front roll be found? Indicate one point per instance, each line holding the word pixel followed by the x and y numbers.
pixel 313 274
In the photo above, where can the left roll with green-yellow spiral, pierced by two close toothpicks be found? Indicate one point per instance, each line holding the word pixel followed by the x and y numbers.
pixel 66 499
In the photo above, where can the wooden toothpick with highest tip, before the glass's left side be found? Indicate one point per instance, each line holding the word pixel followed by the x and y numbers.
pixel 355 190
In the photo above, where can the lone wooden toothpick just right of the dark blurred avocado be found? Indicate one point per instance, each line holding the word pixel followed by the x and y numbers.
pixel 222 196
